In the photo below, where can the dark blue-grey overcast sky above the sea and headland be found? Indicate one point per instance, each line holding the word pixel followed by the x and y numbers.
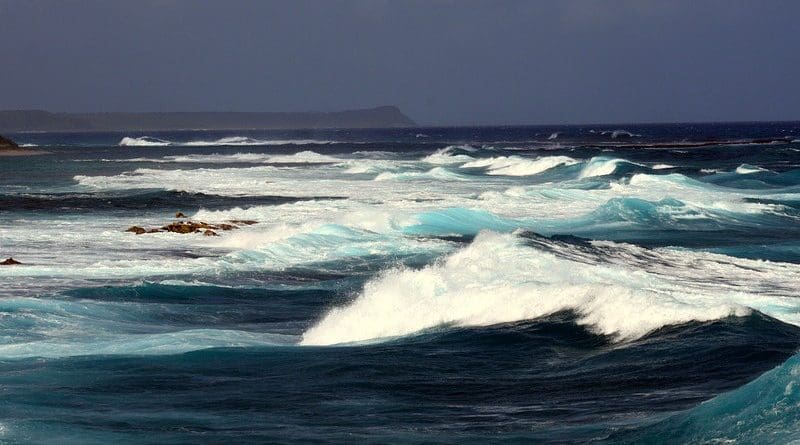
pixel 443 62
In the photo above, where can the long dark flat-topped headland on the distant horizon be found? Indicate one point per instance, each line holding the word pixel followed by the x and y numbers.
pixel 36 120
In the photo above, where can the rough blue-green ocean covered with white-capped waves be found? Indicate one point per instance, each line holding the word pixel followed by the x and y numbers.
pixel 611 284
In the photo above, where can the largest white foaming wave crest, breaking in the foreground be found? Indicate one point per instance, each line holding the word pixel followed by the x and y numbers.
pixel 497 279
